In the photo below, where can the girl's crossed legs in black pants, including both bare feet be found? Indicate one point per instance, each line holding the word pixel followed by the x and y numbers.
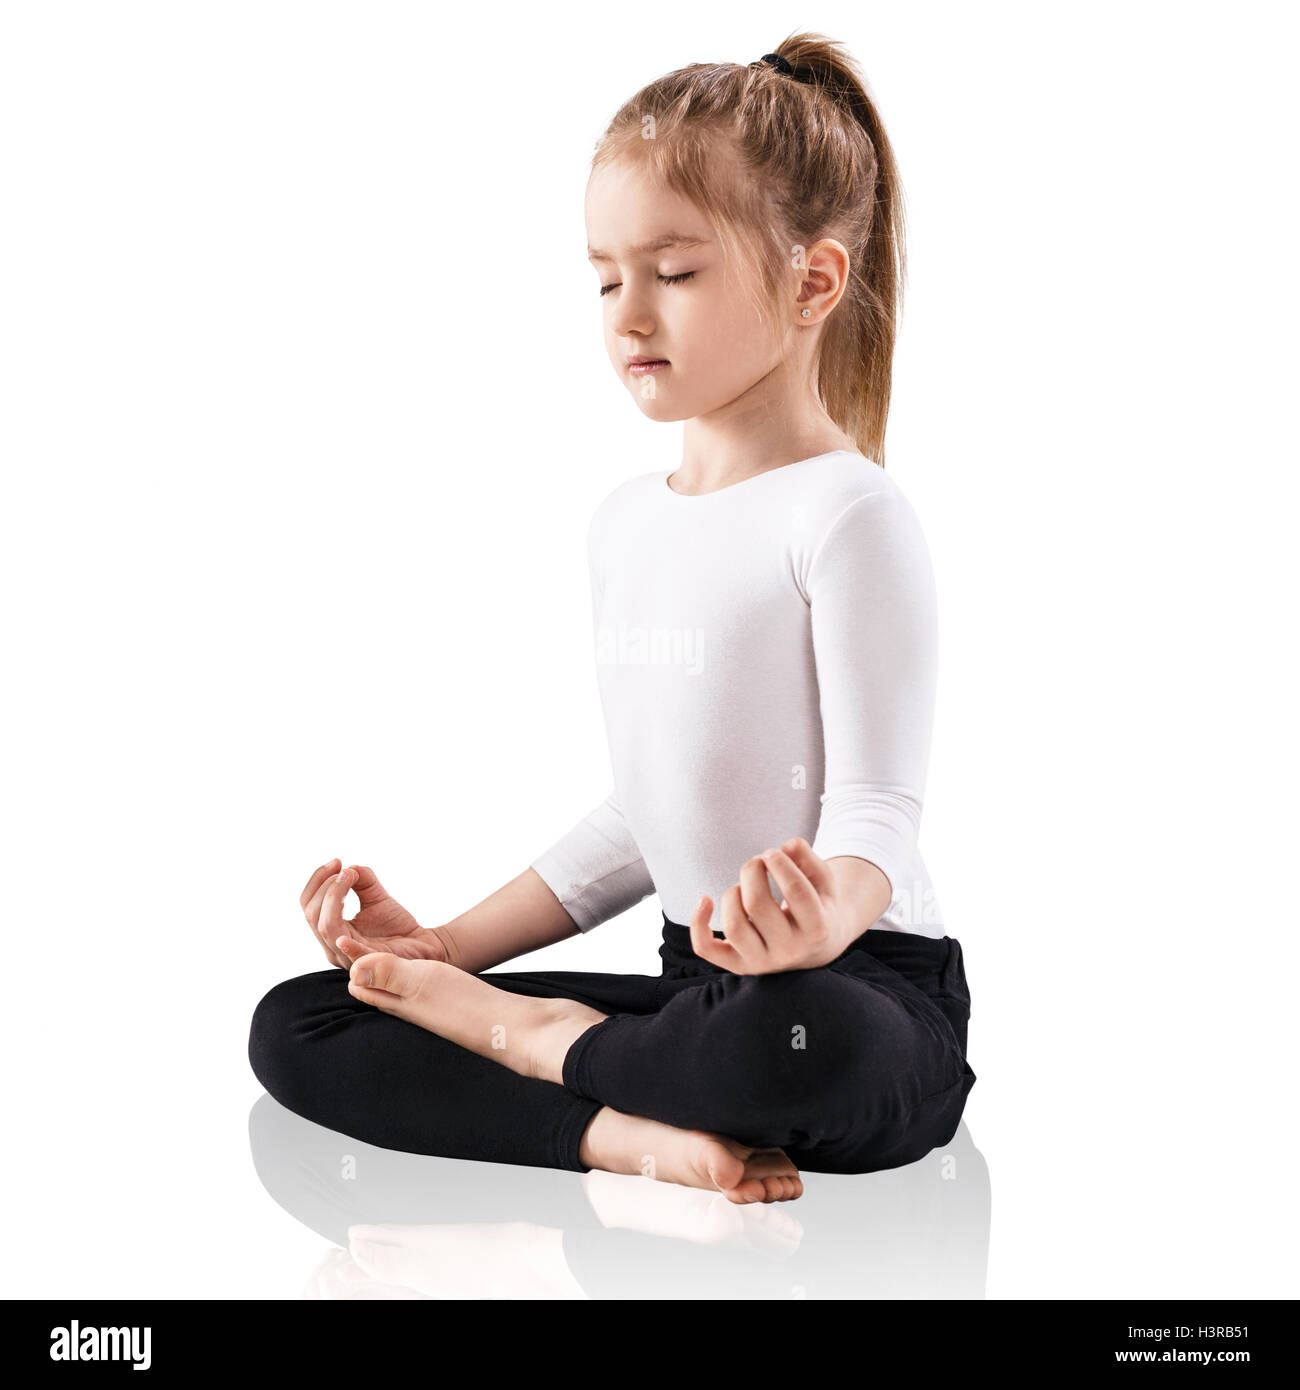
pixel 720 1082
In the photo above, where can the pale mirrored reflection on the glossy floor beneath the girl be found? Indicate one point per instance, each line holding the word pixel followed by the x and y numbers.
pixel 405 1227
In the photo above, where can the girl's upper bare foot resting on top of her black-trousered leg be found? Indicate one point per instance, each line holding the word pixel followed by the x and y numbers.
pixel 529 1036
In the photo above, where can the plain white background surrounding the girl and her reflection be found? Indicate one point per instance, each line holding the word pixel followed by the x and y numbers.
pixel 305 414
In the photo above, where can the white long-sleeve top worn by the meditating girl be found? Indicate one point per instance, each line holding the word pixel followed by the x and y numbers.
pixel 767 660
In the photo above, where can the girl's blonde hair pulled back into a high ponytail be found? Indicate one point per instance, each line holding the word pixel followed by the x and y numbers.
pixel 815 163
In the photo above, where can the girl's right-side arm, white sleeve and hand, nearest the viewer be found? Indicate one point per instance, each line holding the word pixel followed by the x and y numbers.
pixel 871 593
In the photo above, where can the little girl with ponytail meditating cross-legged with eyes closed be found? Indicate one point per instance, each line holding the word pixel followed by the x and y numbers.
pixel 765 637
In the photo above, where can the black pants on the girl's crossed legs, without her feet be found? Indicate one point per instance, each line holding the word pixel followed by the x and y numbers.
pixel 850 1068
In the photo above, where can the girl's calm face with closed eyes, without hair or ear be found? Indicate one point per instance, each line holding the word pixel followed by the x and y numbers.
pixel 683 332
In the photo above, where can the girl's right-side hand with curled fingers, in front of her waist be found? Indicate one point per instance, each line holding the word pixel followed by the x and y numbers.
pixel 811 928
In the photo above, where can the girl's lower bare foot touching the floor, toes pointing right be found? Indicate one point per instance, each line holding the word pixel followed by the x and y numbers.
pixel 622 1143
